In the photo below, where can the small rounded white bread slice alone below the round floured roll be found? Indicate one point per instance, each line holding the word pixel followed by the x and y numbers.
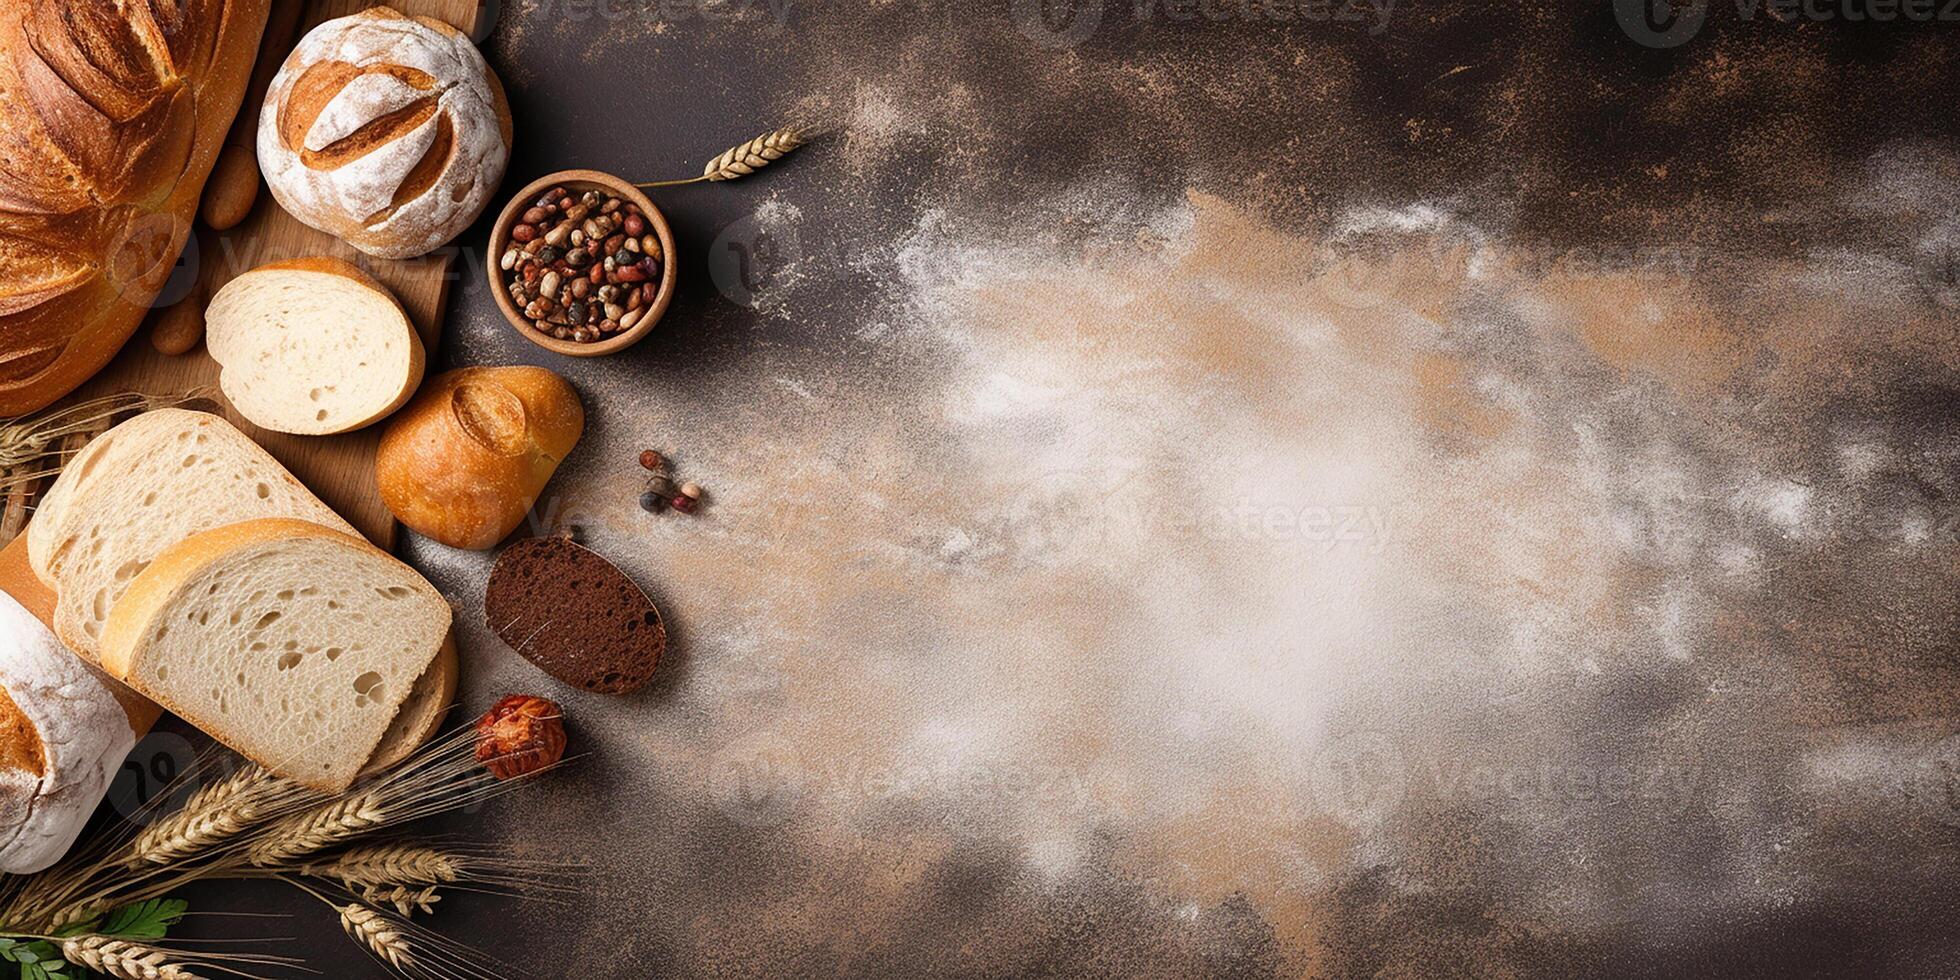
pixel 313 348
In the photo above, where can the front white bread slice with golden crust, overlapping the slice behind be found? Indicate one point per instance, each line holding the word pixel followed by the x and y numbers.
pixel 289 642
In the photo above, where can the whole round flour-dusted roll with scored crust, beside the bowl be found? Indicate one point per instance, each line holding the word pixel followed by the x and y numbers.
pixel 385 130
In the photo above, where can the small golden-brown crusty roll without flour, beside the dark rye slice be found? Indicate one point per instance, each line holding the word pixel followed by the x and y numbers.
pixel 465 460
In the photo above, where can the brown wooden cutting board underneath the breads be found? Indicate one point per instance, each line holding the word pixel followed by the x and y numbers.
pixel 336 467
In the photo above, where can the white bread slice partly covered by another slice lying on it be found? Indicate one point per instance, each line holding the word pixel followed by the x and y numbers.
pixel 140 489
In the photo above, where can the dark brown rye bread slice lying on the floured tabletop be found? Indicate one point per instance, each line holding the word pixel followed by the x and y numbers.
pixel 575 616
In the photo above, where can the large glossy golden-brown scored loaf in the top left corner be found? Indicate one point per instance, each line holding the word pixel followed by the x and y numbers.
pixel 115 113
